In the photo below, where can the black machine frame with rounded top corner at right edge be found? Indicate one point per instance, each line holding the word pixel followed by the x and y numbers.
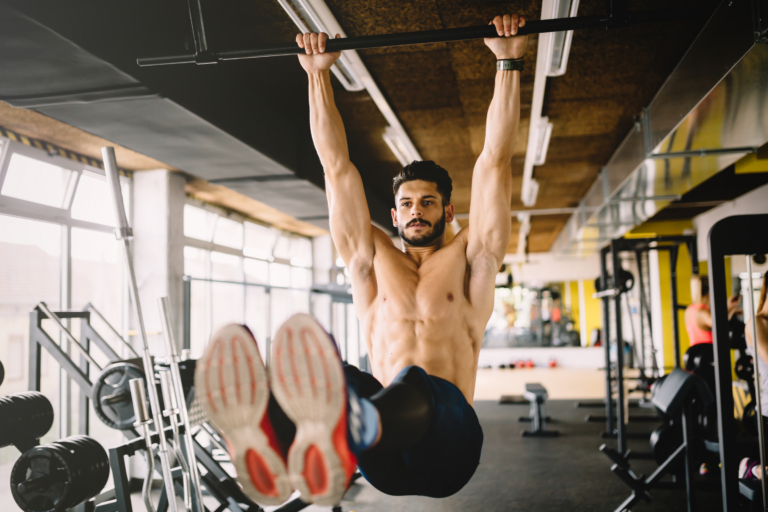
pixel 736 235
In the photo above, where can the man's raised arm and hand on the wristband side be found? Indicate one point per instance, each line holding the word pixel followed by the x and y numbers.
pixel 489 217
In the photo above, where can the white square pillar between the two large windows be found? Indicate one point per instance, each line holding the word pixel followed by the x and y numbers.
pixel 158 250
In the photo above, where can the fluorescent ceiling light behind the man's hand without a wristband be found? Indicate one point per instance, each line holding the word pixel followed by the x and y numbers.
pixel 306 17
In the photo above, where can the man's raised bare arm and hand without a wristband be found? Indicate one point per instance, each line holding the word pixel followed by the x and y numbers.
pixel 347 206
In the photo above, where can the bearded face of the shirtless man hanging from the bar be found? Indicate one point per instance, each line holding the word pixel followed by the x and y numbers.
pixel 420 216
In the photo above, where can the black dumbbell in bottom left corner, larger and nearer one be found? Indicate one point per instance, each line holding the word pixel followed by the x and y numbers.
pixel 57 476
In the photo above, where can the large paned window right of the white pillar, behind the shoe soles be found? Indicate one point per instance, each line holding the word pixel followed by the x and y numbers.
pixel 242 272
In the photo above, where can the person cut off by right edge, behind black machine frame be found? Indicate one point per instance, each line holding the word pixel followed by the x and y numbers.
pixel 750 468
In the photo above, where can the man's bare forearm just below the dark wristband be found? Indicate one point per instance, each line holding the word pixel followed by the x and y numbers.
pixel 503 118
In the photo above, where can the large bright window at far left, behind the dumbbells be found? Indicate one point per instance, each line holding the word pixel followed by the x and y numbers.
pixel 57 247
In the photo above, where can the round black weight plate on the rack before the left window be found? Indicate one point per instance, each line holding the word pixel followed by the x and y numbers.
pixel 112 395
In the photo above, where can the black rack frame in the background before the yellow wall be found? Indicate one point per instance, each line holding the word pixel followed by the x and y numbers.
pixel 614 414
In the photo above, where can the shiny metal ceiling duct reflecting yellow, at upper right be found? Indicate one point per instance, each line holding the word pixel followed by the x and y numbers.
pixel 711 111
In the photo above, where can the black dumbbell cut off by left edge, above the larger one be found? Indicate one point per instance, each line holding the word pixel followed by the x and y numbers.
pixel 24 418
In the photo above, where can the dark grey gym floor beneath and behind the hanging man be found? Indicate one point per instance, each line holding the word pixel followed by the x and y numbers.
pixel 555 474
